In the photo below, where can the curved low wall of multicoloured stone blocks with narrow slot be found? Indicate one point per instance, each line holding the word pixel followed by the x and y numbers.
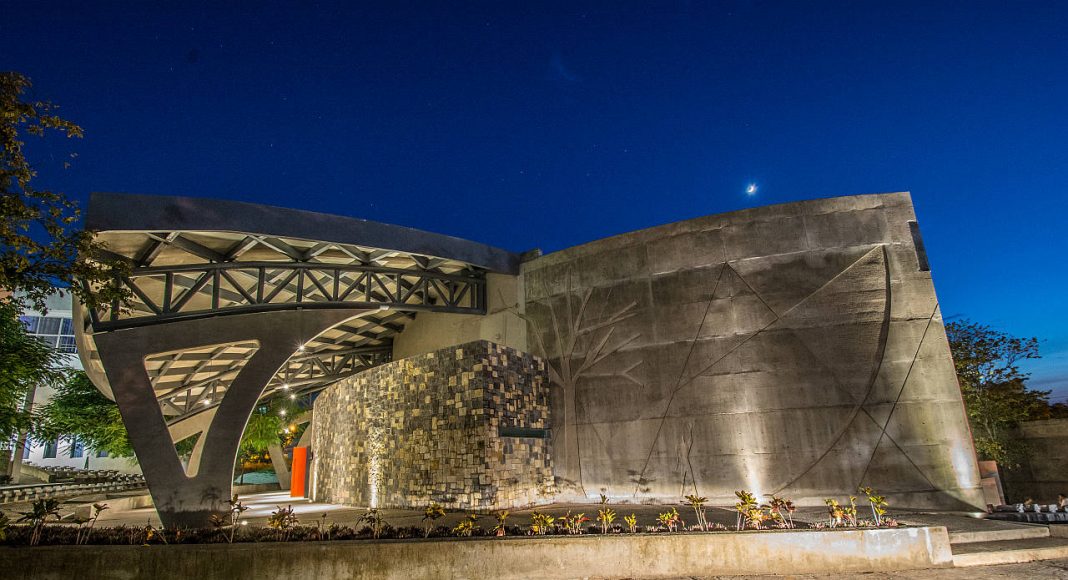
pixel 429 429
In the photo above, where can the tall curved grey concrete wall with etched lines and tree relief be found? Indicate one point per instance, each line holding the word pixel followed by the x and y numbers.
pixel 796 350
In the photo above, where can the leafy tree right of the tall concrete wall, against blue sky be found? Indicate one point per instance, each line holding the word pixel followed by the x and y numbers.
pixel 995 389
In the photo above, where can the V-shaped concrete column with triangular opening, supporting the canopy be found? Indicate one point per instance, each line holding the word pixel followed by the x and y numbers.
pixel 183 500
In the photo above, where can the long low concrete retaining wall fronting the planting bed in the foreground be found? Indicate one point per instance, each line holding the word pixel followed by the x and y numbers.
pixel 640 556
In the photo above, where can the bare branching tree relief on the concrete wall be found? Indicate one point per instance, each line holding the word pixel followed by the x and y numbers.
pixel 578 341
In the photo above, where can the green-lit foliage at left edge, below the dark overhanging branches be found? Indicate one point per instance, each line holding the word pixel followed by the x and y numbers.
pixel 25 364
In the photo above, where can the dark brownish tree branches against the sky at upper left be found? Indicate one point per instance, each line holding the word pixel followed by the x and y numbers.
pixel 41 245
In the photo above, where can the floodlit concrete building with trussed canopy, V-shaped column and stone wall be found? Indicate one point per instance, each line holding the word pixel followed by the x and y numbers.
pixel 795 350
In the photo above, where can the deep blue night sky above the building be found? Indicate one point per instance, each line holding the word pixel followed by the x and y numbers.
pixel 547 128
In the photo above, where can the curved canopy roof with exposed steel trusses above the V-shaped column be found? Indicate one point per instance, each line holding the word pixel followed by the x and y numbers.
pixel 194 259
